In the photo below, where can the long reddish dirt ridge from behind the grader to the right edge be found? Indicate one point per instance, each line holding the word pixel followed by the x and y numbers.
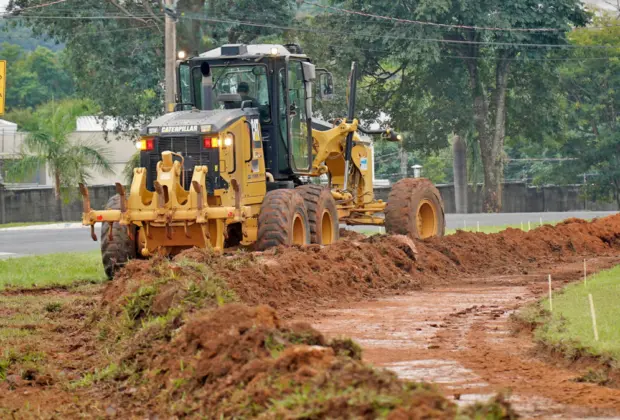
pixel 298 279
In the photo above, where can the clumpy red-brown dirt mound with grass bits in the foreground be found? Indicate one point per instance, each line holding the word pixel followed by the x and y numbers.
pixel 241 362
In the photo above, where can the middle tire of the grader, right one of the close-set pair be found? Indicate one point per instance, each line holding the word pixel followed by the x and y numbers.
pixel 322 214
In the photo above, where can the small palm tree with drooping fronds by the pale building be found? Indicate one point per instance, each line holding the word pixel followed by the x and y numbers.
pixel 47 144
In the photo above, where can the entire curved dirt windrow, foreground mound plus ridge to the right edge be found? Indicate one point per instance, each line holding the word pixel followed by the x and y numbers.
pixel 179 350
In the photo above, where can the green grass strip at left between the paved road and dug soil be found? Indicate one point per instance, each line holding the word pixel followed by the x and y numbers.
pixel 51 270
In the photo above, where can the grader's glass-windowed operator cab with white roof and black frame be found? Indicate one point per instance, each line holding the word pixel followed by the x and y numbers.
pixel 274 79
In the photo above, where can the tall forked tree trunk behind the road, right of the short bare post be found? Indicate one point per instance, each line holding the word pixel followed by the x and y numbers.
pixel 490 123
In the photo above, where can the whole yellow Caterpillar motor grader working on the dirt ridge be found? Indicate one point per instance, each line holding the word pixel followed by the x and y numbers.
pixel 240 162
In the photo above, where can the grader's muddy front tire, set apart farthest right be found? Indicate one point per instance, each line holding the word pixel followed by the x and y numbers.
pixel 415 209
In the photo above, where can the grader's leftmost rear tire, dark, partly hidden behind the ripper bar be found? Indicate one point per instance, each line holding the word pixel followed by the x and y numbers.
pixel 116 252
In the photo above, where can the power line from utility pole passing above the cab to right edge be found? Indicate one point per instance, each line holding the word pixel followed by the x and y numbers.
pixel 367 35
